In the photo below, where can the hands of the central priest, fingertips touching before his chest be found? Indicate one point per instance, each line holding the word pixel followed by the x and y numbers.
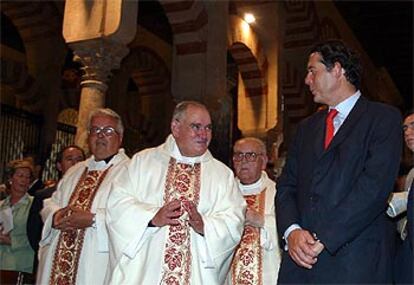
pixel 172 211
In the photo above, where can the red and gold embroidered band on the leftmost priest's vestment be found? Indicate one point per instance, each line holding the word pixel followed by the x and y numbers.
pixel 69 247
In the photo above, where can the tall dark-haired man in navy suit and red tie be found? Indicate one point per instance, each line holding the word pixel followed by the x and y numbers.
pixel 332 194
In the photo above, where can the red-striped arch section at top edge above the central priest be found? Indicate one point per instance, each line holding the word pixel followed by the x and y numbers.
pixel 188 20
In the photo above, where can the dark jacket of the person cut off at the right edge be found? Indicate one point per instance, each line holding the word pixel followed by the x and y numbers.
pixel 404 261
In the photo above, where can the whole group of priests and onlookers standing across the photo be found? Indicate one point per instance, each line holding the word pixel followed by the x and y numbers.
pixel 174 214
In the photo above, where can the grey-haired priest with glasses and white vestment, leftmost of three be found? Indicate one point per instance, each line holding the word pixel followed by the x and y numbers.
pixel 74 245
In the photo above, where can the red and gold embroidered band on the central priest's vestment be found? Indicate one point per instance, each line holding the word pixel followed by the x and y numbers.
pixel 182 183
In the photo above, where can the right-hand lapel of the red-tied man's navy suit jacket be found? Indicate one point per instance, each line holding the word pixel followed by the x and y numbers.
pixel 349 123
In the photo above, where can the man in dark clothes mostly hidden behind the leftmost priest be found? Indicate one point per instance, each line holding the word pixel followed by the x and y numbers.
pixel 66 158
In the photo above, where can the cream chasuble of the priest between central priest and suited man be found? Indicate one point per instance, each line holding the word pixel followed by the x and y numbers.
pixel 257 258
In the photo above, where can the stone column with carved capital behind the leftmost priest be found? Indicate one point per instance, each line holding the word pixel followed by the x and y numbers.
pixel 98 58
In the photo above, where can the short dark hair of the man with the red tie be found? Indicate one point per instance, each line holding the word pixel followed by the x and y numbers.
pixel 333 51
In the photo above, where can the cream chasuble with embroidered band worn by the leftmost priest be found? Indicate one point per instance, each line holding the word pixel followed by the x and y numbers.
pixel 79 256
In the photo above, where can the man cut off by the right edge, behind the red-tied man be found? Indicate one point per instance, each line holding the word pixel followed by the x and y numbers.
pixel 404 261
